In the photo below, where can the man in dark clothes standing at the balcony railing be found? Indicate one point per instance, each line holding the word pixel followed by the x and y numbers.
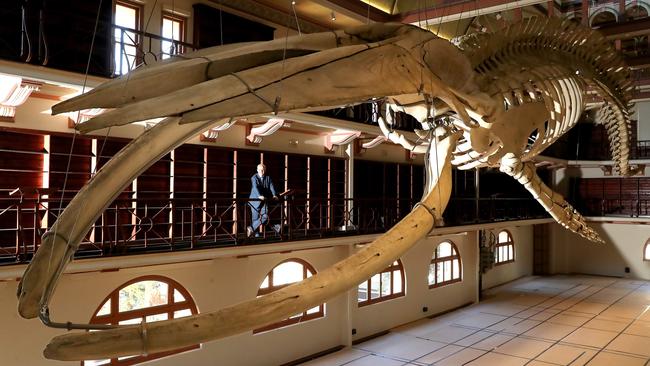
pixel 261 188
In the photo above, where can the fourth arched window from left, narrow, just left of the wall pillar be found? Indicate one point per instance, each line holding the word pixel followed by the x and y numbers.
pixel 445 265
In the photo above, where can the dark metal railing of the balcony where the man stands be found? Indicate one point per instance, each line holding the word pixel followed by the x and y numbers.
pixel 130 226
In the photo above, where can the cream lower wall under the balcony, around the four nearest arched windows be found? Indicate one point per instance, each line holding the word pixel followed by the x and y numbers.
pixel 219 282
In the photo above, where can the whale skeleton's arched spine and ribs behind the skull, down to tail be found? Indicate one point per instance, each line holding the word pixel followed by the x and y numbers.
pixel 555 60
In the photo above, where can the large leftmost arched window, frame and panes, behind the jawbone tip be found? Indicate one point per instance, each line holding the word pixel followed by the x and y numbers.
pixel 147 298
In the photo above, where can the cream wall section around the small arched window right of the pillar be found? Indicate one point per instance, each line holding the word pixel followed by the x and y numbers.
pixel 523 264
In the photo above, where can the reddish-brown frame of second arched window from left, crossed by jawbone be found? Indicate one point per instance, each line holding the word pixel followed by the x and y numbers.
pixel 306 266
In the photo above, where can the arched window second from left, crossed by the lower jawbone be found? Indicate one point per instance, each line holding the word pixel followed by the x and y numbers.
pixel 282 275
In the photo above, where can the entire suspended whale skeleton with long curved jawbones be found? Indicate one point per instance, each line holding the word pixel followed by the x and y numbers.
pixel 486 100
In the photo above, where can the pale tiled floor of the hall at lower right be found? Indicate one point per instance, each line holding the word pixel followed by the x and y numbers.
pixel 537 321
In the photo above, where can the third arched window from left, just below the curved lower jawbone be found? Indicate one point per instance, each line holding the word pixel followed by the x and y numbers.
pixel 385 285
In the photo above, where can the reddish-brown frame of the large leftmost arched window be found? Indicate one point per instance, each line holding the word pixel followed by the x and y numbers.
pixel 115 316
